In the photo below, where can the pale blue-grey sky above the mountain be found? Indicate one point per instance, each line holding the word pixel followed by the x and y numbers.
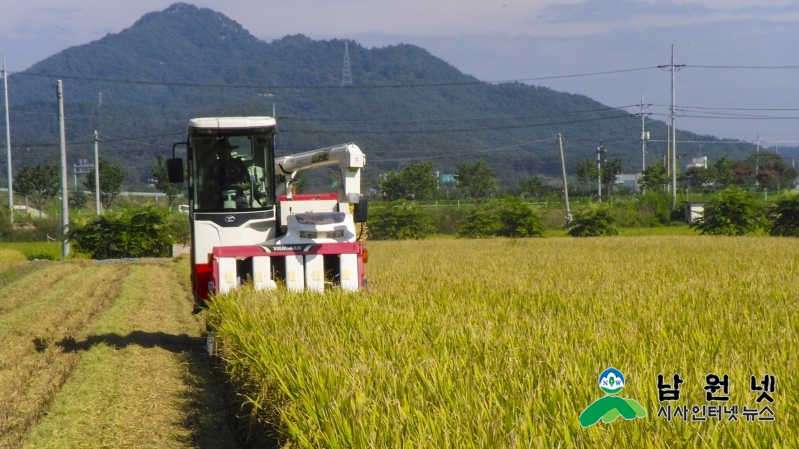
pixel 507 39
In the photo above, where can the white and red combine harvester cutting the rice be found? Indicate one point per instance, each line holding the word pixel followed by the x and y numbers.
pixel 246 222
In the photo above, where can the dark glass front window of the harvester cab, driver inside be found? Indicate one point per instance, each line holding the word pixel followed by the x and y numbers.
pixel 232 172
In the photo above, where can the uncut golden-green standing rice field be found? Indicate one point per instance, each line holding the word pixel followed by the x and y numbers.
pixel 499 343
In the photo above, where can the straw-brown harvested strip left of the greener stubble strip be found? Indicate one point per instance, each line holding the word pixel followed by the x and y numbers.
pixel 40 354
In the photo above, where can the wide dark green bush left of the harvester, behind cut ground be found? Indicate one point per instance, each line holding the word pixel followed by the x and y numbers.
pixel 135 233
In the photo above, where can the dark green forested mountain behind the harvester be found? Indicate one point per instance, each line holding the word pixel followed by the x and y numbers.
pixel 404 106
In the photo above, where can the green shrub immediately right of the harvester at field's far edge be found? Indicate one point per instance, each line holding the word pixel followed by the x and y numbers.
pixel 398 220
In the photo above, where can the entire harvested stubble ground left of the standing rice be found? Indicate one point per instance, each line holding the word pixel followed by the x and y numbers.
pixel 105 356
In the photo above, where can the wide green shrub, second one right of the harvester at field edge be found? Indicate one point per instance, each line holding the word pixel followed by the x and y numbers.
pixel 509 217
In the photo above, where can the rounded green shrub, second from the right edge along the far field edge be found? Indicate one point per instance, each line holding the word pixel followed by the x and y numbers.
pixel 730 212
